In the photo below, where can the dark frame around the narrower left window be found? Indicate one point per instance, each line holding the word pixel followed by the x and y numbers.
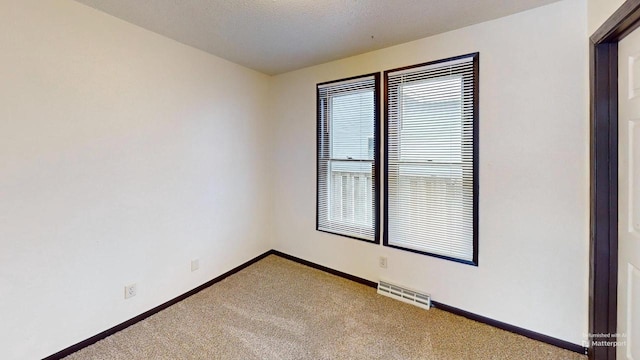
pixel 375 173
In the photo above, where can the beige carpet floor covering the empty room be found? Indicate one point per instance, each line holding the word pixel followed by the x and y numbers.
pixel 278 309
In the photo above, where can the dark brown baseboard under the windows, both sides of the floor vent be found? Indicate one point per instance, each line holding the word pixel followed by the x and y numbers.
pixel 485 320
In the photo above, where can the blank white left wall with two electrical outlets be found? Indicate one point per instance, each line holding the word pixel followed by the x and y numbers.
pixel 123 155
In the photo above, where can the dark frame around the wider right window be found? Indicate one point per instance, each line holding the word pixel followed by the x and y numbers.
pixel 476 160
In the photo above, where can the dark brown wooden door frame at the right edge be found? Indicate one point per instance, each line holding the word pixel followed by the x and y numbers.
pixel 603 272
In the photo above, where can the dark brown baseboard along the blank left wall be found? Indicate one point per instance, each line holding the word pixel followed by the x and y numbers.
pixel 92 340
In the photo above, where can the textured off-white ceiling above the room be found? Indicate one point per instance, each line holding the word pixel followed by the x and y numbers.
pixel 277 36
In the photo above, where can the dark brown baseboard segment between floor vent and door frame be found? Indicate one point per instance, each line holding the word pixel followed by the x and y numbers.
pixel 512 328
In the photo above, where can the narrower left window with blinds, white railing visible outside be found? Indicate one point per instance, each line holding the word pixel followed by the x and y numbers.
pixel 347 159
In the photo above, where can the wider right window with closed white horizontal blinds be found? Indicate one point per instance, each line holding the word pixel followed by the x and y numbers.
pixel 431 181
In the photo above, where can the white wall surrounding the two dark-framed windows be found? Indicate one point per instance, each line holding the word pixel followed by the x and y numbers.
pixel 534 222
